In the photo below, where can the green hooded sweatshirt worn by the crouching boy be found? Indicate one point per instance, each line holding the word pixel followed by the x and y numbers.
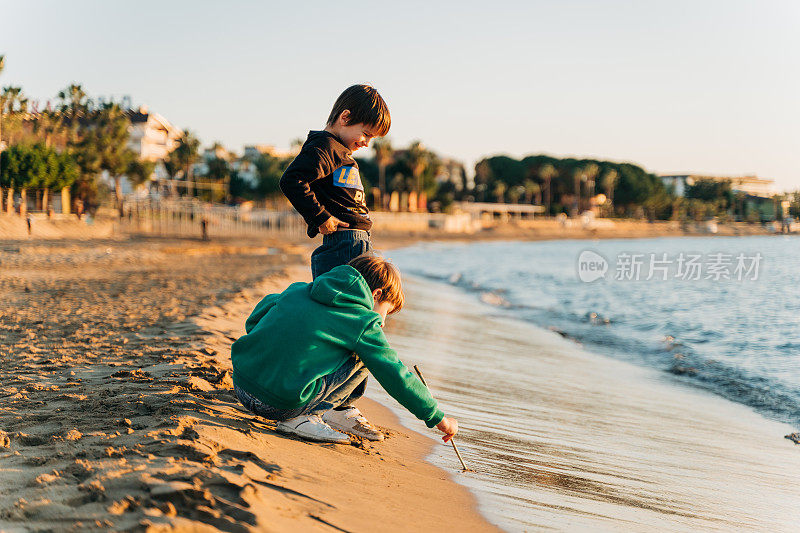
pixel 308 331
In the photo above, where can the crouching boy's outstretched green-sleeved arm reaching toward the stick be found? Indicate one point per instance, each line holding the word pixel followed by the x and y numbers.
pixel 382 361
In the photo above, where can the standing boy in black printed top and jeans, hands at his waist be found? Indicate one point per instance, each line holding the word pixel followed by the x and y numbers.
pixel 323 182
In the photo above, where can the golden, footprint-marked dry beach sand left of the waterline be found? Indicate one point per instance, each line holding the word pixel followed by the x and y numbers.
pixel 117 412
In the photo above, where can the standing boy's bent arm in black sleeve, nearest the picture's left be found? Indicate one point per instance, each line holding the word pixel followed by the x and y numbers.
pixel 311 164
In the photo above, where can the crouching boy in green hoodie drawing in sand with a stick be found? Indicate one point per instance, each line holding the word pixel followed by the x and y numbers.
pixel 308 348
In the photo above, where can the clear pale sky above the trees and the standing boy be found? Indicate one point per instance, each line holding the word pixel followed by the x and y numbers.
pixel 707 86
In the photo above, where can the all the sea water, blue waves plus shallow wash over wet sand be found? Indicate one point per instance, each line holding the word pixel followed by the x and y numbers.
pixel 641 399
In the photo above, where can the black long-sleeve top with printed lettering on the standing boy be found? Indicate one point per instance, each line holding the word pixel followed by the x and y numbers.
pixel 323 181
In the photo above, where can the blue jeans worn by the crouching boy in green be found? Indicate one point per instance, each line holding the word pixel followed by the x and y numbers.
pixel 339 389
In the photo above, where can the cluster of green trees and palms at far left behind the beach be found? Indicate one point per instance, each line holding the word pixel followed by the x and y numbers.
pixel 67 145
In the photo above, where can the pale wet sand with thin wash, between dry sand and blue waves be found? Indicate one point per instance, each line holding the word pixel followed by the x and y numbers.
pixel 591 442
